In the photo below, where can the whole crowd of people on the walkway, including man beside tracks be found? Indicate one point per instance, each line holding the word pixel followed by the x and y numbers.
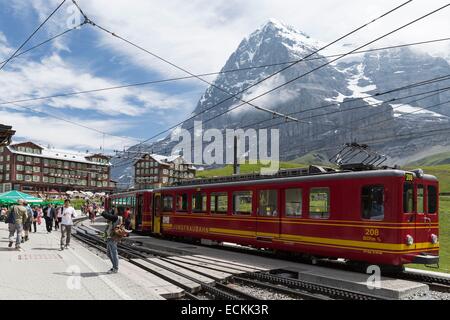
pixel 22 219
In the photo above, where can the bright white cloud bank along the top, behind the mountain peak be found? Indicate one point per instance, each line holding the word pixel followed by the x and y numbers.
pixel 201 34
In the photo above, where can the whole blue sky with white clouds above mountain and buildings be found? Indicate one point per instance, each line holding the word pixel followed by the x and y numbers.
pixel 198 35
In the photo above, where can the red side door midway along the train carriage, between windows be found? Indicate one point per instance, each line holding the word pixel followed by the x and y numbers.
pixel 268 226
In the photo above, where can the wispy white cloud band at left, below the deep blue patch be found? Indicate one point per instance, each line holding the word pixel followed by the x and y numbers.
pixel 52 76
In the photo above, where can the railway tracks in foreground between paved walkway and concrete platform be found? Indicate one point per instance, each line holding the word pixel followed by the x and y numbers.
pixel 232 288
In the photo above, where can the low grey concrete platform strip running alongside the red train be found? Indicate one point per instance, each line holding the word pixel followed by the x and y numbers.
pixel 389 288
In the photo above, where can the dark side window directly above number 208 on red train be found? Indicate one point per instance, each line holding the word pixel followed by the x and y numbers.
pixel 373 203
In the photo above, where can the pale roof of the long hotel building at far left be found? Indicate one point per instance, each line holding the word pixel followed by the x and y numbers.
pixel 56 154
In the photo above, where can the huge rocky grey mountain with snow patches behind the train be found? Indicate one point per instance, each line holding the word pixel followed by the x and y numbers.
pixel 322 97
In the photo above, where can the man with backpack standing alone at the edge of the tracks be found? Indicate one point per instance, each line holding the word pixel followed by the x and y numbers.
pixel 115 231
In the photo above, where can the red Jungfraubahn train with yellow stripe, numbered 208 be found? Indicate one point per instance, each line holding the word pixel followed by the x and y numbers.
pixel 388 217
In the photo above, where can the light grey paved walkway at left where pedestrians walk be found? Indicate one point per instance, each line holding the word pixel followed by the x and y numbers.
pixel 41 271
